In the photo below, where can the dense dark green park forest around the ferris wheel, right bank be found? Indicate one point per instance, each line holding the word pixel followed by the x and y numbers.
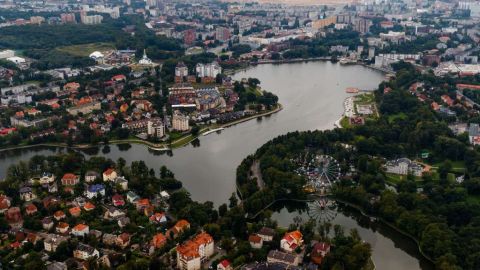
pixel 440 213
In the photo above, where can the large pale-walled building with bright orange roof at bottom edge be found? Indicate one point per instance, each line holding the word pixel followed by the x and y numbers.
pixel 193 252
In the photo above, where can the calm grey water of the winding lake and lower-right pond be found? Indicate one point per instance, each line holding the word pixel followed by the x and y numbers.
pixel 312 95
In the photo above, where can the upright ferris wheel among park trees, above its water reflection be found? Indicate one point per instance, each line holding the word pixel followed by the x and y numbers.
pixel 327 170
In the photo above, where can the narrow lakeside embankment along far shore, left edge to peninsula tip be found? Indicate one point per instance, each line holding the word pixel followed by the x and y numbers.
pixel 180 142
